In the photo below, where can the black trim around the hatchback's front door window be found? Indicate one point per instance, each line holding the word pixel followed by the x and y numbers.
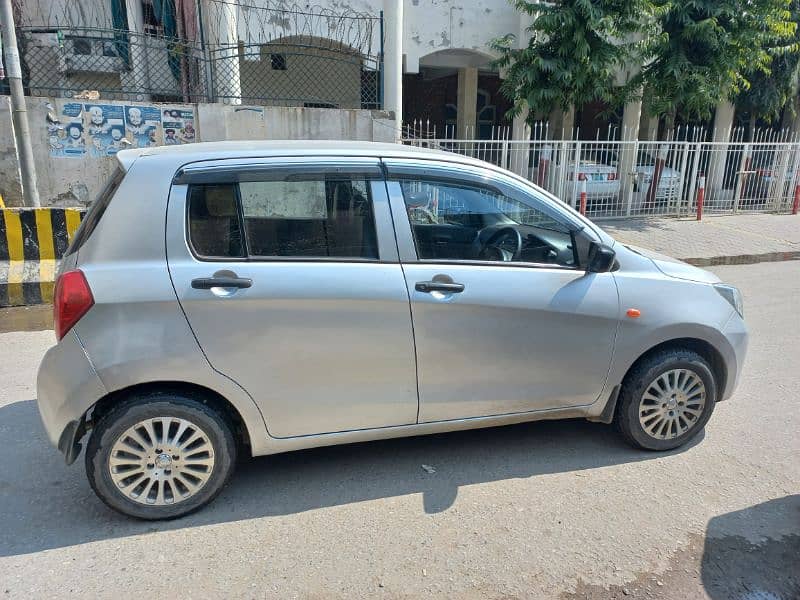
pixel 478 181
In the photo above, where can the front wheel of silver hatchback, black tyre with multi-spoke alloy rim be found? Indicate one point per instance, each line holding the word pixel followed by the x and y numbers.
pixel 666 400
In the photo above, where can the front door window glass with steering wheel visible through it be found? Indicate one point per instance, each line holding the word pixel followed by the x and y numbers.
pixel 463 221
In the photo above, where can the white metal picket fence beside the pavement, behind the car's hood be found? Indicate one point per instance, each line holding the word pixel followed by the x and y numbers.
pixel 643 178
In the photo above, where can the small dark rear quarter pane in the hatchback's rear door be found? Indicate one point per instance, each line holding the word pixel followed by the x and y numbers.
pixel 214 221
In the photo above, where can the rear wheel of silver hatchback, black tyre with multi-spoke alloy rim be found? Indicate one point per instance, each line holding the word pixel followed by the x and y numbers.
pixel 160 455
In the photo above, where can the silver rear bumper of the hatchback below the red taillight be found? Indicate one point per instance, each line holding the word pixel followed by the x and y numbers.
pixel 67 386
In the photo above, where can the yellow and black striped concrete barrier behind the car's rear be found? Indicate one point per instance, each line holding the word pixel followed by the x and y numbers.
pixel 32 241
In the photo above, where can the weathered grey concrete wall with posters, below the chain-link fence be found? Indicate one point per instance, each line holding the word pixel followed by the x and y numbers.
pixel 75 181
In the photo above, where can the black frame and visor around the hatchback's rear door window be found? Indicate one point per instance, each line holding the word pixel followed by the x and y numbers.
pixel 250 173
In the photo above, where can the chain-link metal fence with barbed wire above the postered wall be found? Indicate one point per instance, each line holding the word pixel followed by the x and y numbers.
pixel 275 56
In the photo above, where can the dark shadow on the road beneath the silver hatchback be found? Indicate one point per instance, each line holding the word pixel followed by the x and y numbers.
pixel 44 504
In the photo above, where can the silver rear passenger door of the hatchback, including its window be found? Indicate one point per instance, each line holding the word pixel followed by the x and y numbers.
pixel 289 277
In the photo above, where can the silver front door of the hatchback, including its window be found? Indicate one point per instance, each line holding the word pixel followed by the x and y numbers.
pixel 505 318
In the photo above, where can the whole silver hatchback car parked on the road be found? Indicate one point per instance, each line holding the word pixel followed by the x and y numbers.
pixel 232 299
